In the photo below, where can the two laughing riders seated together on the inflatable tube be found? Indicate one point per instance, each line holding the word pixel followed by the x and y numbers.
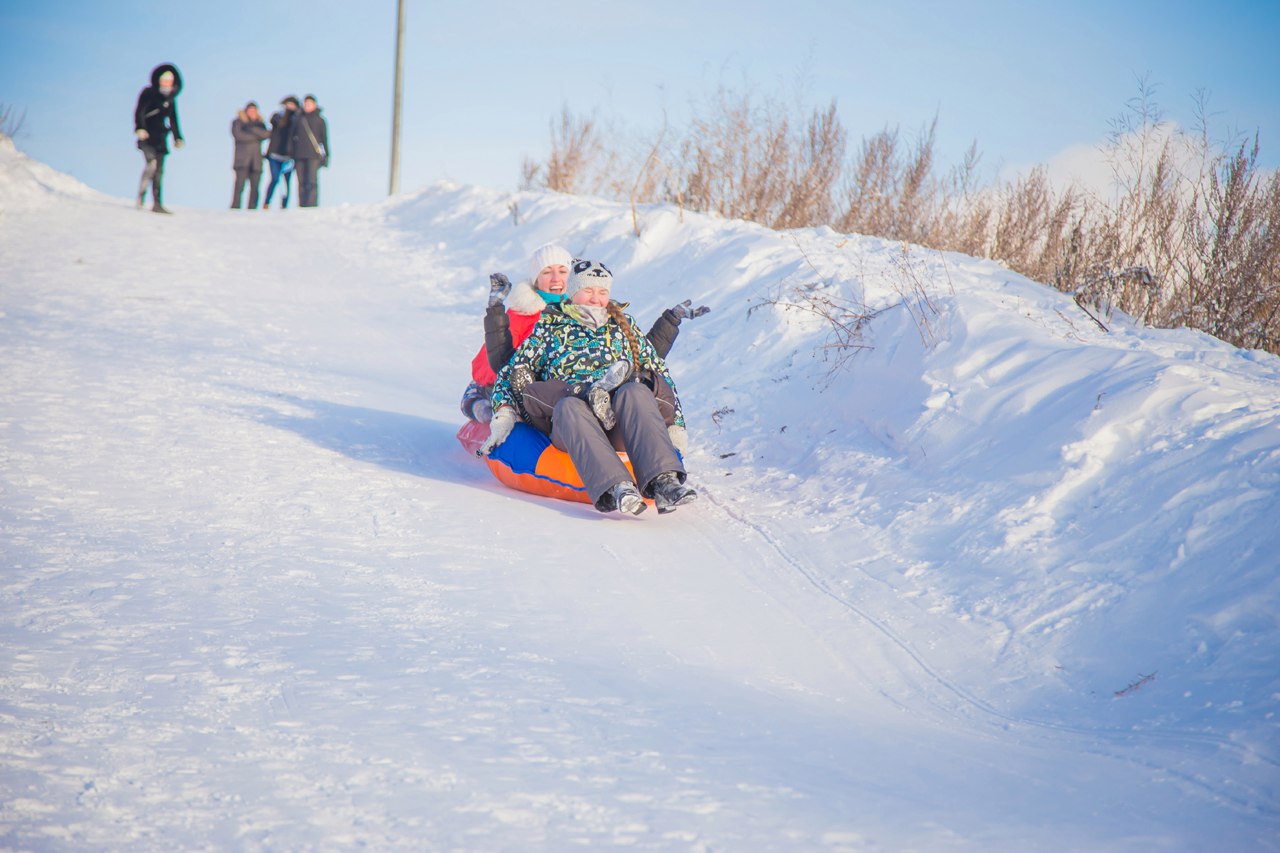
pixel 565 358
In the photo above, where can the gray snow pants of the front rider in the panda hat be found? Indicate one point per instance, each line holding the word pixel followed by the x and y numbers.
pixel 642 432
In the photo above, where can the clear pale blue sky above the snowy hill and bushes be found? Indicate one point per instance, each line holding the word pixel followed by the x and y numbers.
pixel 1027 81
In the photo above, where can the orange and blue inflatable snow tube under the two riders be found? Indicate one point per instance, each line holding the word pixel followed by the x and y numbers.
pixel 528 462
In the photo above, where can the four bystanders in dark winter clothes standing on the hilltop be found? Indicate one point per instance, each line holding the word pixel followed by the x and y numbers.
pixel 298 142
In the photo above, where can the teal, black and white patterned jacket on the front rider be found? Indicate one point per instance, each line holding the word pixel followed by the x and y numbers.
pixel 561 348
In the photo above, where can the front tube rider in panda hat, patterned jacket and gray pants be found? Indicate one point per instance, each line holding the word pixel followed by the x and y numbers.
pixel 591 364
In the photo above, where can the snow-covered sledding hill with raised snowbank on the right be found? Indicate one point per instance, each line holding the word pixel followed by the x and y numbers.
pixel 984 577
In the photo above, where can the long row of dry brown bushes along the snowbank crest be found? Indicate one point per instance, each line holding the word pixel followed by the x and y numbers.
pixel 1190 238
